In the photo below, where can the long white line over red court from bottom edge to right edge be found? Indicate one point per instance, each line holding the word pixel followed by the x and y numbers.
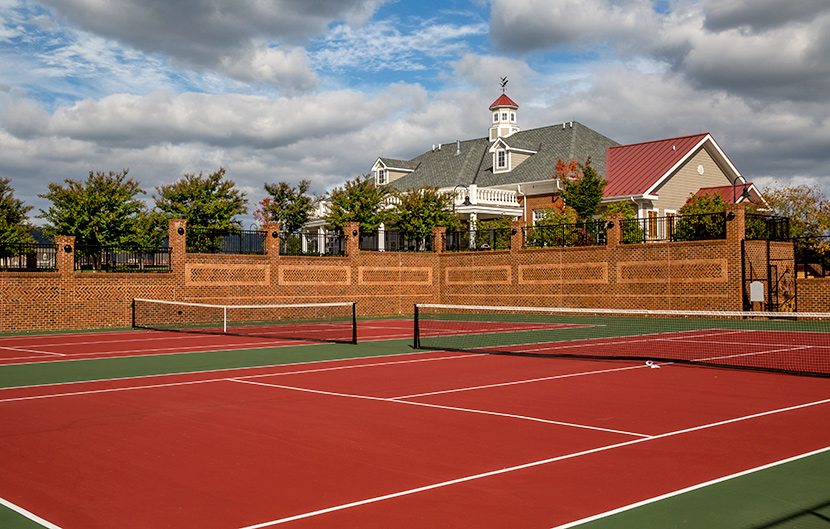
pixel 516 468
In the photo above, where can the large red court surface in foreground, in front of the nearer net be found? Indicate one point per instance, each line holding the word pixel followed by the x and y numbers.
pixel 409 441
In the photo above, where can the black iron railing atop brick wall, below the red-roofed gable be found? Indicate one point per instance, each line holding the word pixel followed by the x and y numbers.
pixel 706 226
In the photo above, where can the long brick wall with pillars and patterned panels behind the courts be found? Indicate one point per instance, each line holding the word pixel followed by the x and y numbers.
pixel 682 275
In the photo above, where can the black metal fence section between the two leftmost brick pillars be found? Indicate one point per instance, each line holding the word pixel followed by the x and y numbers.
pixel 108 259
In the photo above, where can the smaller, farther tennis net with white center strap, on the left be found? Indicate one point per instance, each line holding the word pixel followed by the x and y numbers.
pixel 318 322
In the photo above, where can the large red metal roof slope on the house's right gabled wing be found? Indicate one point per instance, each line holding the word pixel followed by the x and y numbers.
pixel 634 169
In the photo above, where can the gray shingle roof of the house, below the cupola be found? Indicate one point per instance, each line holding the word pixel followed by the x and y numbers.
pixel 474 165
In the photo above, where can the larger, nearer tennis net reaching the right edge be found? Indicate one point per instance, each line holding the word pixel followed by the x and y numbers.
pixel 797 343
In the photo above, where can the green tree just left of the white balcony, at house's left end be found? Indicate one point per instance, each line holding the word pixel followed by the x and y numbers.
pixel 359 200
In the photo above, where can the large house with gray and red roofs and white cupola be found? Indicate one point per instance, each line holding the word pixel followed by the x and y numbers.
pixel 510 172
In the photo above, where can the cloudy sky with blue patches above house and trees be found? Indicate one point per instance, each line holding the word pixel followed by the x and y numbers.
pixel 286 90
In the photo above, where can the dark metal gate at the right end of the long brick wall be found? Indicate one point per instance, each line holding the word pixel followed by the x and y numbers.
pixel 773 266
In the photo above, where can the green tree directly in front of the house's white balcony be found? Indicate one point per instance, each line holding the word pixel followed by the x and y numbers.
pixel 417 211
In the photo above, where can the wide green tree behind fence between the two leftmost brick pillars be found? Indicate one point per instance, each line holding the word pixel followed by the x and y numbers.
pixel 103 210
